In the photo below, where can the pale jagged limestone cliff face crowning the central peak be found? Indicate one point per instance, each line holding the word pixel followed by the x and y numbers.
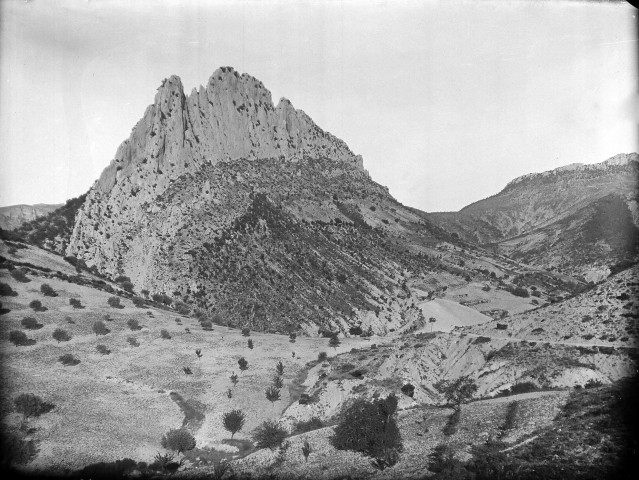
pixel 232 117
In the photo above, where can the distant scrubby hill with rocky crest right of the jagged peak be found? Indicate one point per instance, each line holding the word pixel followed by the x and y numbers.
pixel 579 220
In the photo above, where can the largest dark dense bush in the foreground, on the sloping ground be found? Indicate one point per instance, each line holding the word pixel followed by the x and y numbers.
pixel 370 428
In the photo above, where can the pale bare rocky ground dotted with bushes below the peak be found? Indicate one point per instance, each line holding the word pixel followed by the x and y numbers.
pixel 110 407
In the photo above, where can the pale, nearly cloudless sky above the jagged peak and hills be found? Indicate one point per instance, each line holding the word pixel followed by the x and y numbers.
pixel 447 101
